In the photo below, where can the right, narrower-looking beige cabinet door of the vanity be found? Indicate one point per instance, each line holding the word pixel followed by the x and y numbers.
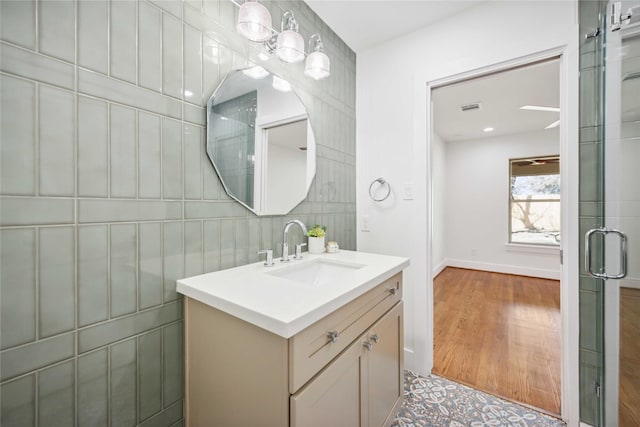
pixel 385 362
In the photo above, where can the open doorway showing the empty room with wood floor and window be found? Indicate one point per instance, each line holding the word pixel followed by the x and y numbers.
pixel 496 233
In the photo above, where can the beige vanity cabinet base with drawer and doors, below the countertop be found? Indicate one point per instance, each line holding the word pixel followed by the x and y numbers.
pixel 346 369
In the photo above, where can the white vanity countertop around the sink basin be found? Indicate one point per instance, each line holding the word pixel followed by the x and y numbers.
pixel 282 306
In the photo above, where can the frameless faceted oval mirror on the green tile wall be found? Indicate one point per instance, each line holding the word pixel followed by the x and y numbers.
pixel 260 141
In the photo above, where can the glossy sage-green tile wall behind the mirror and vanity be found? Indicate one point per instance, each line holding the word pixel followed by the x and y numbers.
pixel 107 196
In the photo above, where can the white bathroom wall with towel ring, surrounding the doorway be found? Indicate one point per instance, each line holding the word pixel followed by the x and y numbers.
pixel 392 135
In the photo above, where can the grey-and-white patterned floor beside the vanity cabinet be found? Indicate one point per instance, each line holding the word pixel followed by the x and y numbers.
pixel 438 402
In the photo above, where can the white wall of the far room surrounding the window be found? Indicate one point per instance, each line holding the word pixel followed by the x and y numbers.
pixel 477 216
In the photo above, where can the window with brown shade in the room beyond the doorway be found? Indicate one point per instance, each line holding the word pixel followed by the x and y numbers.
pixel 534 206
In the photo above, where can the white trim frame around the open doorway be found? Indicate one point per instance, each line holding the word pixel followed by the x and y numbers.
pixel 569 160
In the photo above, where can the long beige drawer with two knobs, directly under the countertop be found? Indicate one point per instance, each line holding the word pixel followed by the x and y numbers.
pixel 311 349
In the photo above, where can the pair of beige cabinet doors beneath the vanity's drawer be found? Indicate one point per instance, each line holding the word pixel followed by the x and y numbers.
pixel 362 387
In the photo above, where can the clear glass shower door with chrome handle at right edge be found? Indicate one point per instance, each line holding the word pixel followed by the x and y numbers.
pixel 619 240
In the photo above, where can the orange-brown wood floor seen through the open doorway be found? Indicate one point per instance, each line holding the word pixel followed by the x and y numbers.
pixel 499 333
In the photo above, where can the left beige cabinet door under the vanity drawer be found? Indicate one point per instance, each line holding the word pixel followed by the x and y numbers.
pixel 333 398
